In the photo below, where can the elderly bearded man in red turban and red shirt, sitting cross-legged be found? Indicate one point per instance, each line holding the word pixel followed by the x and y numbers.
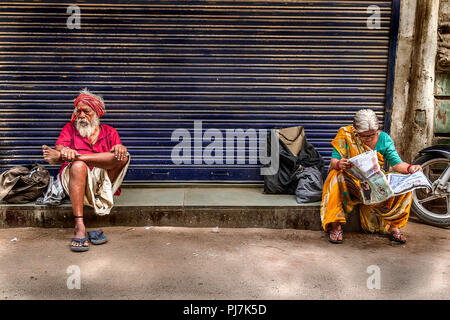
pixel 93 164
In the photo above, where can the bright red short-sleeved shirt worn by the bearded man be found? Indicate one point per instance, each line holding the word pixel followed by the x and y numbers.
pixel 70 137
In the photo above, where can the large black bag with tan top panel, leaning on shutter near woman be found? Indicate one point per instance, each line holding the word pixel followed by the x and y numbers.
pixel 295 154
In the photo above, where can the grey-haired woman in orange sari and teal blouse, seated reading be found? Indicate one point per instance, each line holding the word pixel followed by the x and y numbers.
pixel 342 191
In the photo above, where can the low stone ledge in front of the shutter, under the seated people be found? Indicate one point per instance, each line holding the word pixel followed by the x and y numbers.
pixel 187 207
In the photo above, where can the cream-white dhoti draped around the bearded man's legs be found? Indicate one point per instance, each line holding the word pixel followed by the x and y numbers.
pixel 99 191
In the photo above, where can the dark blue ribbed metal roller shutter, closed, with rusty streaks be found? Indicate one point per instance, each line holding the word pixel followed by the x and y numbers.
pixel 160 65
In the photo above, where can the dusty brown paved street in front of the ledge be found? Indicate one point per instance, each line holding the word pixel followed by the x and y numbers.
pixel 197 263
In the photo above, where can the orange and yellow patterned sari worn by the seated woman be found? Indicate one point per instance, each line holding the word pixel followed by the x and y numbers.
pixel 341 193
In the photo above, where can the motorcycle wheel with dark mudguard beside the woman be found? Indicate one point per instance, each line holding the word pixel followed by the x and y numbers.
pixel 430 208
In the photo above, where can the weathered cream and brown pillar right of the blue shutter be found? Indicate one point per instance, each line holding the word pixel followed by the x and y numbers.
pixel 413 114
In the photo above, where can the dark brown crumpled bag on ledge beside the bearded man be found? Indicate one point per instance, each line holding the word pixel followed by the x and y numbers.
pixel 23 184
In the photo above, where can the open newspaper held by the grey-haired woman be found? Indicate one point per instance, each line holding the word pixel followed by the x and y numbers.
pixel 376 187
